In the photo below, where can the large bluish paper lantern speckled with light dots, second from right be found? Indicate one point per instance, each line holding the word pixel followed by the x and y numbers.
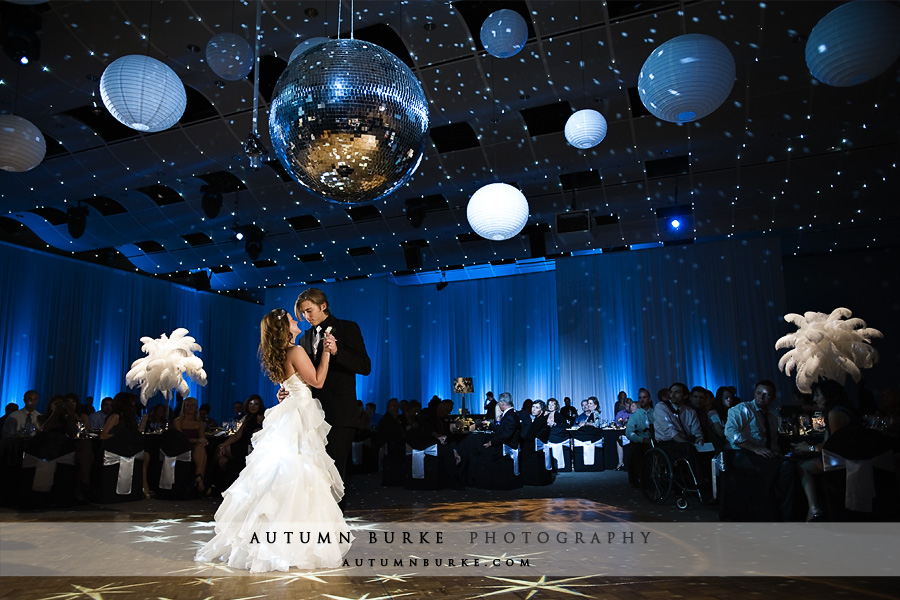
pixel 686 78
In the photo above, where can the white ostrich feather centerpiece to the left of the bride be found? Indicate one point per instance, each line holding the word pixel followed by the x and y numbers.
pixel 168 360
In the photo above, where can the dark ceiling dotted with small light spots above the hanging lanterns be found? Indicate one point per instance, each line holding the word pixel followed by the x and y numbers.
pixel 784 155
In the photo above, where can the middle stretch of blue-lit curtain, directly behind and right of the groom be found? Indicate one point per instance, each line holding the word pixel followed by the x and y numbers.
pixel 500 332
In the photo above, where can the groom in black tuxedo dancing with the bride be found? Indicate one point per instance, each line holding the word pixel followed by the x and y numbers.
pixel 349 357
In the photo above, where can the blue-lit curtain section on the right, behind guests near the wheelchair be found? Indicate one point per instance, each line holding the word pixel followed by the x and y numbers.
pixel 706 314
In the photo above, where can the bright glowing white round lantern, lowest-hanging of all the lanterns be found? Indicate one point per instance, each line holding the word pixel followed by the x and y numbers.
pixel 497 211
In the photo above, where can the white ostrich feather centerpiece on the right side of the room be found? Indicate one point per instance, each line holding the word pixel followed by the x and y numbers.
pixel 827 347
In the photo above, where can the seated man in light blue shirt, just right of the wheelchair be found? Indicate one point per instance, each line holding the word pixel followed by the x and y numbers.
pixel 752 431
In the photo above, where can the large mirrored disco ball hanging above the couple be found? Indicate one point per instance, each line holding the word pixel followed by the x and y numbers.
pixel 348 121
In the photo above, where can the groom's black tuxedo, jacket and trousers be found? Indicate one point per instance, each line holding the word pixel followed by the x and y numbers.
pixel 338 395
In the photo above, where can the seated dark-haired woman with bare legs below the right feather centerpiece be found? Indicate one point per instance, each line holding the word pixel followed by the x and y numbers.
pixel 831 399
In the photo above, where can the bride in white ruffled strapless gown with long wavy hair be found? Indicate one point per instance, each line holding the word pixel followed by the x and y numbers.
pixel 282 511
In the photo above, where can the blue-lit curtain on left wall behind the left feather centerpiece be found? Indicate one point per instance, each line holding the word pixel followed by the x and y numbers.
pixel 69 326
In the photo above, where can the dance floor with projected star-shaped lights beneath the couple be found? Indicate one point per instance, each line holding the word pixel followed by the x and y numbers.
pixel 83 560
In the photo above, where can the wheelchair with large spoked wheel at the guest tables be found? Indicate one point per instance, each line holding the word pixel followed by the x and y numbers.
pixel 660 475
